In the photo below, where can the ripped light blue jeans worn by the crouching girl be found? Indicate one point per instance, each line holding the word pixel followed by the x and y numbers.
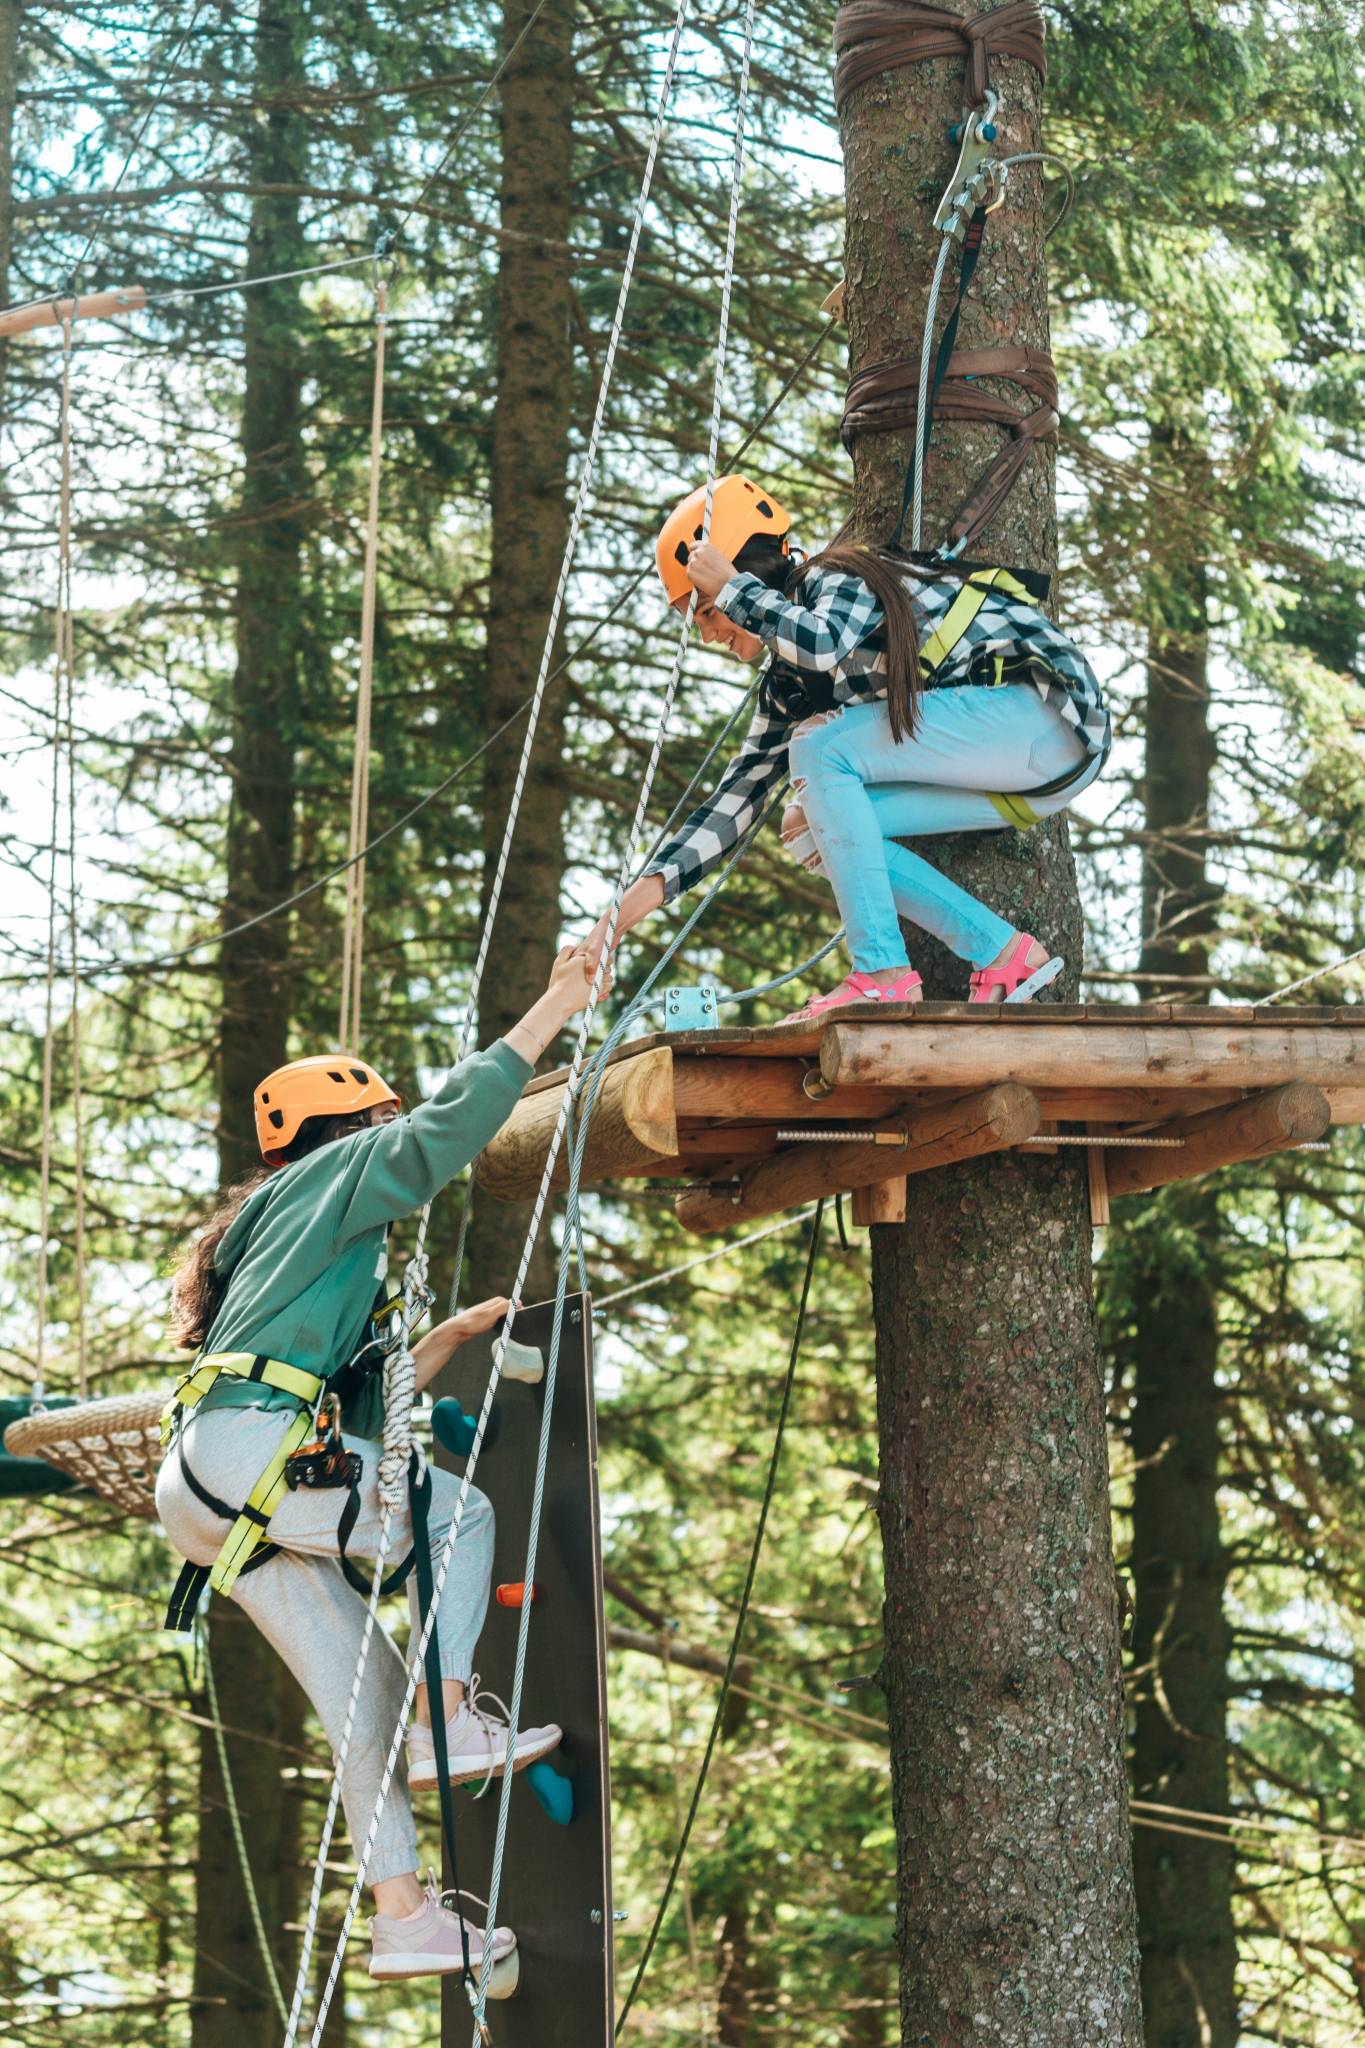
pixel 861 794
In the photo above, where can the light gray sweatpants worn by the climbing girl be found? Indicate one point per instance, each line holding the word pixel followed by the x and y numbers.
pixel 314 1619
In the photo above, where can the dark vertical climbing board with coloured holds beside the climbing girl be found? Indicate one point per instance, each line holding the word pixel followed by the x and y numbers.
pixel 556 1879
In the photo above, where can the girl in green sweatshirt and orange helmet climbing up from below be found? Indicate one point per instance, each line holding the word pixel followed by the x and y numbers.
pixel 277 1297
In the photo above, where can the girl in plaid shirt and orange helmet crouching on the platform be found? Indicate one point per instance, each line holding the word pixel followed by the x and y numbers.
pixel 901 703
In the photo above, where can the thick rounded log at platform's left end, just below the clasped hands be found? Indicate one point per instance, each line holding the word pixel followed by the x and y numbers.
pixel 633 1125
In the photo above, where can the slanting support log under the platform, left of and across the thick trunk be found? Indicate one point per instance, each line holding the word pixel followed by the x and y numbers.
pixel 987 1121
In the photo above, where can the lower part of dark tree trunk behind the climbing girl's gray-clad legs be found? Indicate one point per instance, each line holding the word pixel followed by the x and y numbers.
pixel 232 1996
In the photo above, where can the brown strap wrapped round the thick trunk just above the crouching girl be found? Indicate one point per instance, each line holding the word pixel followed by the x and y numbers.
pixel 885 398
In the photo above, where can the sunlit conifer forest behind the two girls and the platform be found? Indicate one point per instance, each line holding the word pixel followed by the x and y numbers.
pixel 1206 304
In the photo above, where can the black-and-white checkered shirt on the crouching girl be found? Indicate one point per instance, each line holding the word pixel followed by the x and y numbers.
pixel 836 634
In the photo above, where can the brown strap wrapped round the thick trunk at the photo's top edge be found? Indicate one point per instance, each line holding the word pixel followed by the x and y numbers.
pixel 885 36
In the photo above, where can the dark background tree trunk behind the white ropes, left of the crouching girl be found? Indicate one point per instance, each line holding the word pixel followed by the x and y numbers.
pixel 531 521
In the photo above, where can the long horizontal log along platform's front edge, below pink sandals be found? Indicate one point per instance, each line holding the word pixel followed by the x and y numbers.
pixel 1090 1056
